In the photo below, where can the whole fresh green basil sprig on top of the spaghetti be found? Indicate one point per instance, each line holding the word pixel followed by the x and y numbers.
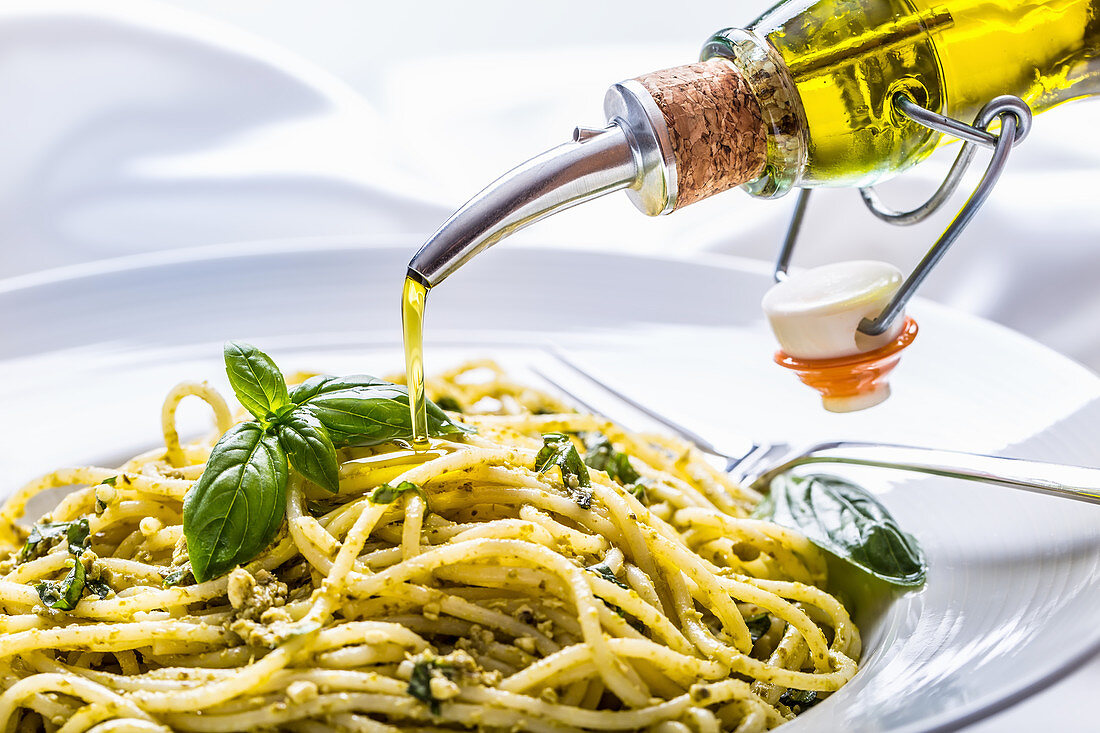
pixel 238 505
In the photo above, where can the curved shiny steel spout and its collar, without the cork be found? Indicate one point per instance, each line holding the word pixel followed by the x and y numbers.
pixel 631 154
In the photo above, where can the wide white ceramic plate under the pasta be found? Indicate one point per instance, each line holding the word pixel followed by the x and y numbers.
pixel 86 357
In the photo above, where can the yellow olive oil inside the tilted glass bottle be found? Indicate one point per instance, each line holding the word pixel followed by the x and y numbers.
pixel 849 58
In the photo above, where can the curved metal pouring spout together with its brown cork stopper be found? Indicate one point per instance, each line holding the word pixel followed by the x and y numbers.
pixel 674 137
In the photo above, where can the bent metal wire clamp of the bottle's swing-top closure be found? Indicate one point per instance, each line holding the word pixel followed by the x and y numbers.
pixel 1016 119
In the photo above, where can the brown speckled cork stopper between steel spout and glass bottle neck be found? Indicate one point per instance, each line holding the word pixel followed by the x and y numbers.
pixel 714 127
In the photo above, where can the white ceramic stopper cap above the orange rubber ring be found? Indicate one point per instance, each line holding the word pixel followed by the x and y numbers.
pixel 816 314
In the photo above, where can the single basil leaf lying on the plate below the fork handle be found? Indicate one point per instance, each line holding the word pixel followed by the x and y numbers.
pixel 848 521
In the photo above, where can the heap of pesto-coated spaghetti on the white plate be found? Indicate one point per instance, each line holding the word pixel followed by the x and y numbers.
pixel 449 589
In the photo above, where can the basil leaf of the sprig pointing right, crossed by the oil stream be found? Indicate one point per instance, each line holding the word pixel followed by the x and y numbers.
pixel 370 415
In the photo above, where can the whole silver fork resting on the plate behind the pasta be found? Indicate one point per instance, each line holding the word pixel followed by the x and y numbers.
pixel 757 464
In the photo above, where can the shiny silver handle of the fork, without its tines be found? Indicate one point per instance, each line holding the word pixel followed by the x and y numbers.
pixel 1076 483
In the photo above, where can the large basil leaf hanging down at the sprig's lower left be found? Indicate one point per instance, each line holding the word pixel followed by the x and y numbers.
pixel 238 505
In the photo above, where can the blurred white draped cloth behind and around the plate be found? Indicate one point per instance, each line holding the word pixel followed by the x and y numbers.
pixel 131 125
